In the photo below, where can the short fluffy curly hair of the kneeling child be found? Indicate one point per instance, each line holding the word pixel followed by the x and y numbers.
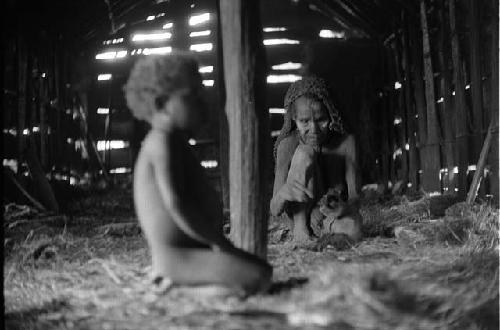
pixel 154 78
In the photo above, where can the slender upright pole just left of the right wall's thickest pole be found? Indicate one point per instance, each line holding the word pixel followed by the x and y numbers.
pixel 410 110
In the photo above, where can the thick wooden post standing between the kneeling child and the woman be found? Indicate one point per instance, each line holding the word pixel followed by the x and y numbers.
pixel 244 73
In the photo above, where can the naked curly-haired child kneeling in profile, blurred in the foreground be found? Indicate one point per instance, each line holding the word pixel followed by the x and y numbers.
pixel 178 210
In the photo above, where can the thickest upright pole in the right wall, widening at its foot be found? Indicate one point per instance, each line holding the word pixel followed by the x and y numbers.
pixel 431 164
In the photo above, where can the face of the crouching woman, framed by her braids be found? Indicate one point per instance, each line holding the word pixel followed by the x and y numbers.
pixel 311 118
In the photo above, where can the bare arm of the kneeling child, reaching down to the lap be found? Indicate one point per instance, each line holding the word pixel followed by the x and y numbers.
pixel 184 213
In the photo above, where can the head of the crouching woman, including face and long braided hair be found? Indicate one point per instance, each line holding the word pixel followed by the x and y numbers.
pixel 309 109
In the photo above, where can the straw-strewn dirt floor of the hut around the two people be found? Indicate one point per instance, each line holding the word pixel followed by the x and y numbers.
pixel 90 271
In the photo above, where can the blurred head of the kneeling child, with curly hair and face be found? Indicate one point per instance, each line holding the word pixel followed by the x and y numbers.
pixel 165 85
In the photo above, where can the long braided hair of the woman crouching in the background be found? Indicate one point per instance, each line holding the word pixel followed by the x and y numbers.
pixel 313 87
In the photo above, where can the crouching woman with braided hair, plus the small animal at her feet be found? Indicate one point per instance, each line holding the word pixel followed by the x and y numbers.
pixel 315 176
